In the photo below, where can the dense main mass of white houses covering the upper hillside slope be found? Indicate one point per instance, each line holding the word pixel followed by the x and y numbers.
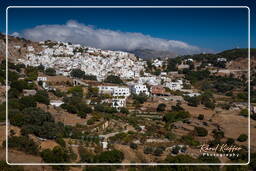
pixel 64 57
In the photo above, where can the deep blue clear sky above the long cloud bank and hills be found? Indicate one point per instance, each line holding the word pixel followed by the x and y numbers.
pixel 214 29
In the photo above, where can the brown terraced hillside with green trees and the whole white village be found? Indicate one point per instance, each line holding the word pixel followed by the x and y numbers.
pixel 109 106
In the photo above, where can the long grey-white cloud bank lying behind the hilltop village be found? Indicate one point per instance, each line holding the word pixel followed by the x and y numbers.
pixel 76 32
